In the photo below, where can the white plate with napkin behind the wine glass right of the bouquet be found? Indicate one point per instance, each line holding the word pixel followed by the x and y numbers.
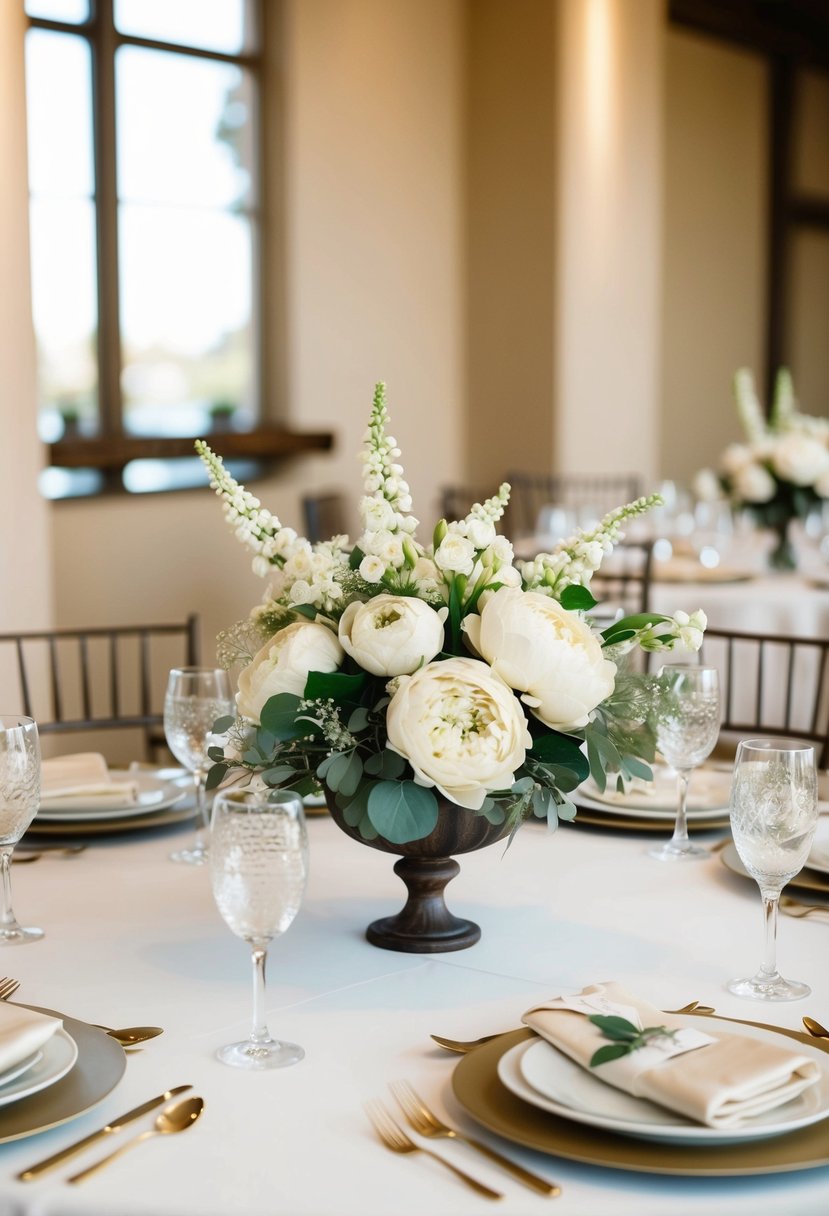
pixel 708 796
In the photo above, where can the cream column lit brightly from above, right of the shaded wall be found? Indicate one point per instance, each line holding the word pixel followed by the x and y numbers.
pixel 610 235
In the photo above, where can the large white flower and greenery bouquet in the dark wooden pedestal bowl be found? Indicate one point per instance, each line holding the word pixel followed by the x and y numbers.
pixel 393 673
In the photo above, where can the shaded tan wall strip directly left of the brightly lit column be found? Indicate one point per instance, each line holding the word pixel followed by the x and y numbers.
pixel 511 216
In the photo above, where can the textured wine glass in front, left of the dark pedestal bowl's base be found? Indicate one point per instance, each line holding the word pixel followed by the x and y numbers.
pixel 260 870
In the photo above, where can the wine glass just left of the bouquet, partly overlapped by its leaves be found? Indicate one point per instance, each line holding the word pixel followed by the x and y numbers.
pixel 196 697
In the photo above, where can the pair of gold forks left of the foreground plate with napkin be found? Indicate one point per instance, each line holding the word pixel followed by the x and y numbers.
pixel 424 1122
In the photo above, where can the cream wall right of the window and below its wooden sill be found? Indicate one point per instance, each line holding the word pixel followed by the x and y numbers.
pixel 373 206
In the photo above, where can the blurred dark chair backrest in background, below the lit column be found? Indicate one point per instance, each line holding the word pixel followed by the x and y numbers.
pixel 600 492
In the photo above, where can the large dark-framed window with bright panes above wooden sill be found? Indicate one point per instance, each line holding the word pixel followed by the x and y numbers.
pixel 145 227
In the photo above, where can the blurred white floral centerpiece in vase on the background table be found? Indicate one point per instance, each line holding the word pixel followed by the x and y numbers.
pixel 781 472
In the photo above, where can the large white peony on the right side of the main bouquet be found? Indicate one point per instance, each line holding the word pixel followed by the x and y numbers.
pixel 546 652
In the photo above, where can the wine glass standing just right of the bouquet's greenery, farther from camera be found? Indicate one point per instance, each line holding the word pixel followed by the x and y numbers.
pixel 687 729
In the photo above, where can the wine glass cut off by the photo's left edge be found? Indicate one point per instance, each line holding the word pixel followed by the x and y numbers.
pixel 20 798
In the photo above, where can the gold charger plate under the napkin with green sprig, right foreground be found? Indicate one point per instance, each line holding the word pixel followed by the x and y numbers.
pixel 478 1089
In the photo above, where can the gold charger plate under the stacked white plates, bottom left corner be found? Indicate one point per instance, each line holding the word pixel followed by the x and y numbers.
pixel 98 1071
